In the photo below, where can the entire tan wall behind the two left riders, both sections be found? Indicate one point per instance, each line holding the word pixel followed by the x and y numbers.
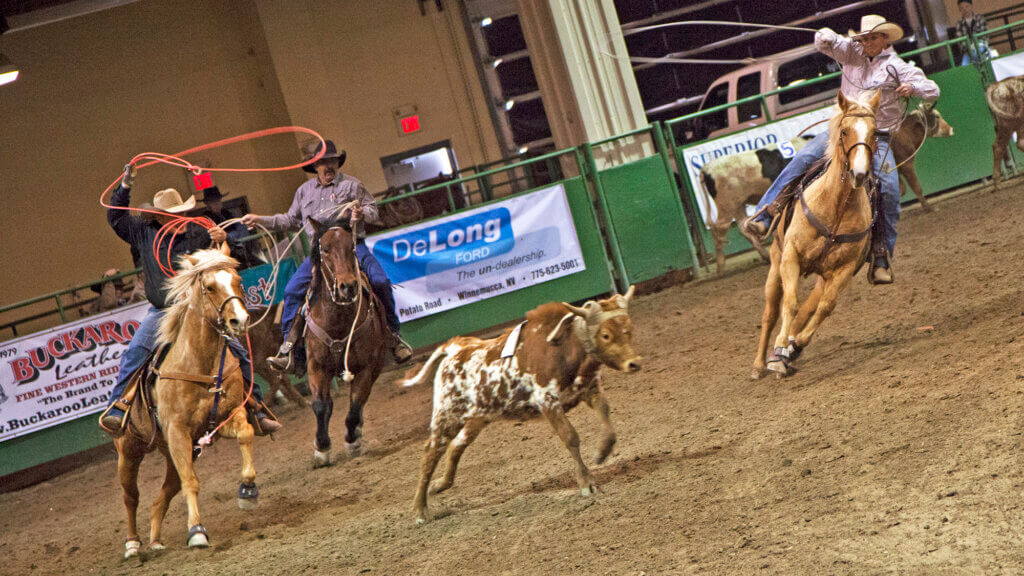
pixel 167 75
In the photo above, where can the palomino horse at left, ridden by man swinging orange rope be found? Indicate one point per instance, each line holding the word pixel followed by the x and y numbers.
pixel 208 308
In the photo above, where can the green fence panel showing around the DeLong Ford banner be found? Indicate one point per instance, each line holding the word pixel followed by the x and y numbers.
pixel 596 279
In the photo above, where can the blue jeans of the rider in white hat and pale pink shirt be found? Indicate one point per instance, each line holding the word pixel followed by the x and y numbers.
pixel 815 151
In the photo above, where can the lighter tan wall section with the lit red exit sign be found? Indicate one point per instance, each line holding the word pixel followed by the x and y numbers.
pixel 345 67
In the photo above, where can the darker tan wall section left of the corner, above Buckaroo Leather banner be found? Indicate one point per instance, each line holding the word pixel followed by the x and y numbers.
pixel 153 76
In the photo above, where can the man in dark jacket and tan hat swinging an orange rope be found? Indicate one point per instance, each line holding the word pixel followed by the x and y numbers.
pixel 142 235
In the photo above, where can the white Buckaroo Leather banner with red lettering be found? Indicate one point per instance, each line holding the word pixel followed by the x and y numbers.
pixel 63 374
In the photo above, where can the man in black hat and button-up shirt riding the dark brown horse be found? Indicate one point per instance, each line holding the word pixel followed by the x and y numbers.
pixel 330 196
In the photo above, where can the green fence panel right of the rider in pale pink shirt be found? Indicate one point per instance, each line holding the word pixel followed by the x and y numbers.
pixel 967 156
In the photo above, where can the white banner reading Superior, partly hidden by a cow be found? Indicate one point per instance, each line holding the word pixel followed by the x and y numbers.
pixel 774 135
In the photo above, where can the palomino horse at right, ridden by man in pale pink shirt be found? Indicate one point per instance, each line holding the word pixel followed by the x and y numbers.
pixel 829 236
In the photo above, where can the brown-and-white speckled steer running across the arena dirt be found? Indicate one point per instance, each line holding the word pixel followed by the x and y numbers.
pixel 546 365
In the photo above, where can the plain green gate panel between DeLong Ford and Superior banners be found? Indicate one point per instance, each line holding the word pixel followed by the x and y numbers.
pixel 652 230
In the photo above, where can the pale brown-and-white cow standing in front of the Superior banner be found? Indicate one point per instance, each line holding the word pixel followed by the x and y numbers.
pixel 739 180
